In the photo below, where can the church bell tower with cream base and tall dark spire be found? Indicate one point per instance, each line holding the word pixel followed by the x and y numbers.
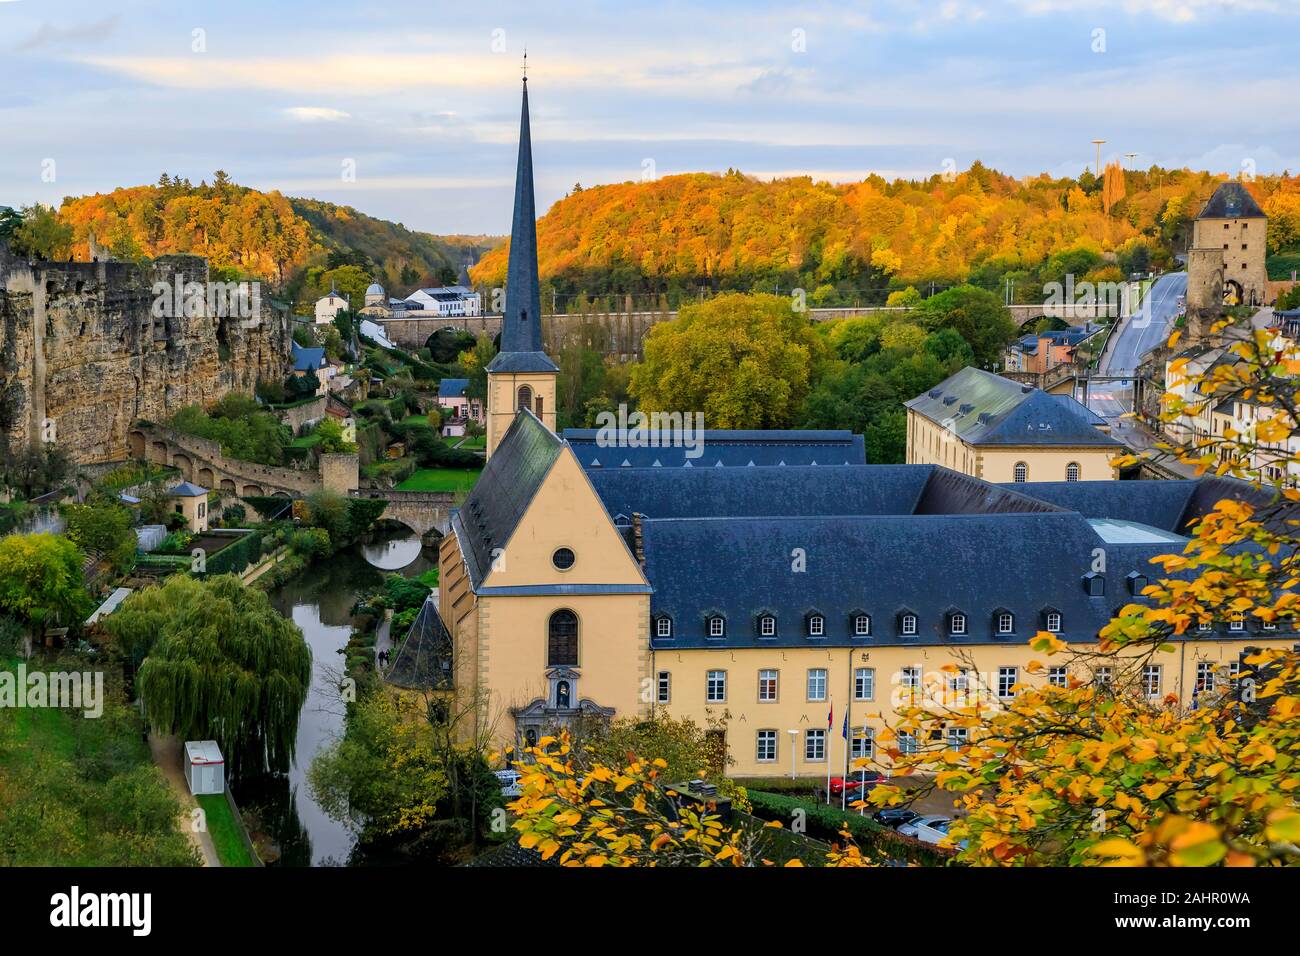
pixel 522 377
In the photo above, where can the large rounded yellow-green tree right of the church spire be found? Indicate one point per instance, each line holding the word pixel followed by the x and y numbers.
pixel 744 361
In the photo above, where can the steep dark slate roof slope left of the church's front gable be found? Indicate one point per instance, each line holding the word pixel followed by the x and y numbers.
pixel 504 492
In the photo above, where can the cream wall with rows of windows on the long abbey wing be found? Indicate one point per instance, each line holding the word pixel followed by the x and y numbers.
pixel 746 716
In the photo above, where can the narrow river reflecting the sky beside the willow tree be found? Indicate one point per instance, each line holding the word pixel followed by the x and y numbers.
pixel 320 603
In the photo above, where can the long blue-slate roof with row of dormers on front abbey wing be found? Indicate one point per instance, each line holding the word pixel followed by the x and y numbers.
pixel 882 566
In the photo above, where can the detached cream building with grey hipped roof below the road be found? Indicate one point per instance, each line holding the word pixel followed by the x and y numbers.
pixel 998 430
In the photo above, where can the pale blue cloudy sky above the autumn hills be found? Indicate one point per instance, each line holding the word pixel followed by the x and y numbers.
pixel 422 98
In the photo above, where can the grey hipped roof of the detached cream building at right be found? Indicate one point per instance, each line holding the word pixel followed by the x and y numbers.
pixel 986 409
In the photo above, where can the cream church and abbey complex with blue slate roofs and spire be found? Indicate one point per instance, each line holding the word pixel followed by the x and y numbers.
pixel 775 587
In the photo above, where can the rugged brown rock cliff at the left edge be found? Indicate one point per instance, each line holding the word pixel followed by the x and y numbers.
pixel 86 349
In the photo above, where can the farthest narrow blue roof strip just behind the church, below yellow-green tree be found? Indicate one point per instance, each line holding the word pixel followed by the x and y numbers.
pixel 727 448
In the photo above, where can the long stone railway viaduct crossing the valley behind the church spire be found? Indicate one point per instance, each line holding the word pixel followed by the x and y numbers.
pixel 622 334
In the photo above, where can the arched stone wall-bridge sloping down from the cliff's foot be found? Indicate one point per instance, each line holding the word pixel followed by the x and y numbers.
pixel 201 461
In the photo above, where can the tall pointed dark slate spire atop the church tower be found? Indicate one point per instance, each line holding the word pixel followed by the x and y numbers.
pixel 522 325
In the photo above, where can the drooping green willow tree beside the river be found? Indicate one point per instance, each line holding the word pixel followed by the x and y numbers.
pixel 220 664
